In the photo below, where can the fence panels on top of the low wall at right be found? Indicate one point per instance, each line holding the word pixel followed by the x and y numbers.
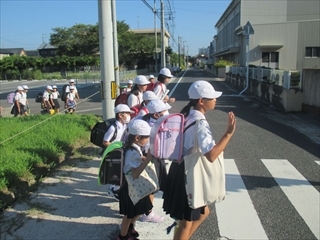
pixel 286 79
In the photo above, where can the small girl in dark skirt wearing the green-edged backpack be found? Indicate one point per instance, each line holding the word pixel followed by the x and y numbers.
pixel 134 161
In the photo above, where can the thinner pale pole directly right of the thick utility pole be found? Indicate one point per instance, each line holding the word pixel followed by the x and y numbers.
pixel 115 45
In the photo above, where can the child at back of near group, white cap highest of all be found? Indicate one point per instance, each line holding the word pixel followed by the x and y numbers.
pixel 161 88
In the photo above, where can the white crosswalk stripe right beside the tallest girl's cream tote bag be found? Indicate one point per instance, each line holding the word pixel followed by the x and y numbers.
pixel 237 210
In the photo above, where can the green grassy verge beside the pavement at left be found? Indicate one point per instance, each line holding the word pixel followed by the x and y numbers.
pixel 29 156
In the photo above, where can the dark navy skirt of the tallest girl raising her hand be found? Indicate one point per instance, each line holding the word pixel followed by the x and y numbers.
pixel 175 200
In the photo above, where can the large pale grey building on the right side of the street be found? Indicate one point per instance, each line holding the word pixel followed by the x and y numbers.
pixel 286 33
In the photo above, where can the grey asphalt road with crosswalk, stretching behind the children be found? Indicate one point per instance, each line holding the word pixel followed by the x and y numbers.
pixel 272 166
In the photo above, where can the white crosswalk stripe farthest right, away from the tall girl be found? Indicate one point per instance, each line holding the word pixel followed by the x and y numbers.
pixel 303 196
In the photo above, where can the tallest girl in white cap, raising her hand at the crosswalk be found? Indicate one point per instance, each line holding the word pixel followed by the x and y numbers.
pixel 202 99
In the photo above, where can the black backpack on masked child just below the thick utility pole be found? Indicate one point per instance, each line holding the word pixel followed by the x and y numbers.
pixel 98 131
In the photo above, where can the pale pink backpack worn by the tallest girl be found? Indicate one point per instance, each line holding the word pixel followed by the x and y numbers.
pixel 166 137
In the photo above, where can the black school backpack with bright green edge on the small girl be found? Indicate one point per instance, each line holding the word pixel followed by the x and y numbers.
pixel 111 165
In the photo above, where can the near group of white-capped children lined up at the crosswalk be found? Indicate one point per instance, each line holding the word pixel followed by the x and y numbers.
pixel 202 97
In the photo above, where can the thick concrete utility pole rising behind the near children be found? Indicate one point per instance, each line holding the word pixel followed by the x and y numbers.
pixel 106 57
